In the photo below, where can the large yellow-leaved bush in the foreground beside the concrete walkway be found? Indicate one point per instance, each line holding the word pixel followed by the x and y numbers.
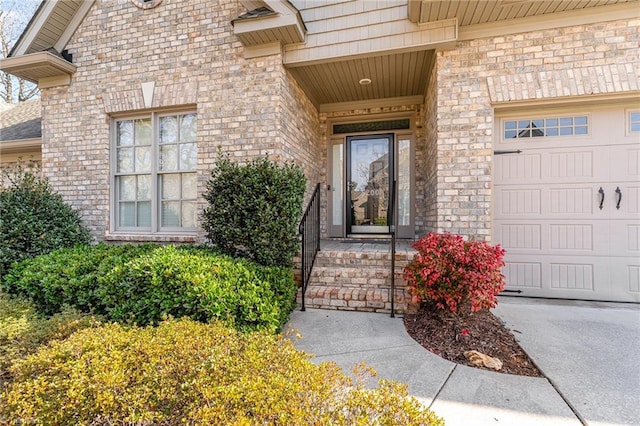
pixel 184 372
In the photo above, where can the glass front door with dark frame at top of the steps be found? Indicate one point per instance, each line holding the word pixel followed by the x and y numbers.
pixel 368 184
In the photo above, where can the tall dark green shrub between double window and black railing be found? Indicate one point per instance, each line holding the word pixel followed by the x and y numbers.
pixel 253 210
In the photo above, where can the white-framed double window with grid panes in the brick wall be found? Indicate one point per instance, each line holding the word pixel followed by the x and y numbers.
pixel 154 160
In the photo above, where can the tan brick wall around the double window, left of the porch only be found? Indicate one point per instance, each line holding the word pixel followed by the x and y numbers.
pixel 191 57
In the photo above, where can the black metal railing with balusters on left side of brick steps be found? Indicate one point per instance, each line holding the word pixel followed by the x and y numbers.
pixel 309 228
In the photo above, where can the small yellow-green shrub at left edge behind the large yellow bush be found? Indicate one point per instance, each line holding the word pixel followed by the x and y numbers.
pixel 23 329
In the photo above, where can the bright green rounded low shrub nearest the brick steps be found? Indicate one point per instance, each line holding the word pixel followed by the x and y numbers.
pixel 199 284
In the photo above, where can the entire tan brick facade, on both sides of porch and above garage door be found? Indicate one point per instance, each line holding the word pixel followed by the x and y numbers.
pixel 252 107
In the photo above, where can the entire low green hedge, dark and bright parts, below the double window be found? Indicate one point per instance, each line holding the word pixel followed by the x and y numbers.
pixel 143 284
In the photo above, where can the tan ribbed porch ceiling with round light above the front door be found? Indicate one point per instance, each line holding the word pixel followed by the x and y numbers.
pixel 392 76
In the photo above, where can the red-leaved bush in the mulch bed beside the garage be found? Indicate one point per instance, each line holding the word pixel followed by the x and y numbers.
pixel 454 273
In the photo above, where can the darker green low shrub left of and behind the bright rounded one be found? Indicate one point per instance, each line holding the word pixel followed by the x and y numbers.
pixel 69 276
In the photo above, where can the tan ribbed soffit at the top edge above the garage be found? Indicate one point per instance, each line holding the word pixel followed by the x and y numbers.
pixel 472 12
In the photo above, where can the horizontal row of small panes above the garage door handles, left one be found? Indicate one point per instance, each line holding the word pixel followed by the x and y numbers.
pixel 545 127
